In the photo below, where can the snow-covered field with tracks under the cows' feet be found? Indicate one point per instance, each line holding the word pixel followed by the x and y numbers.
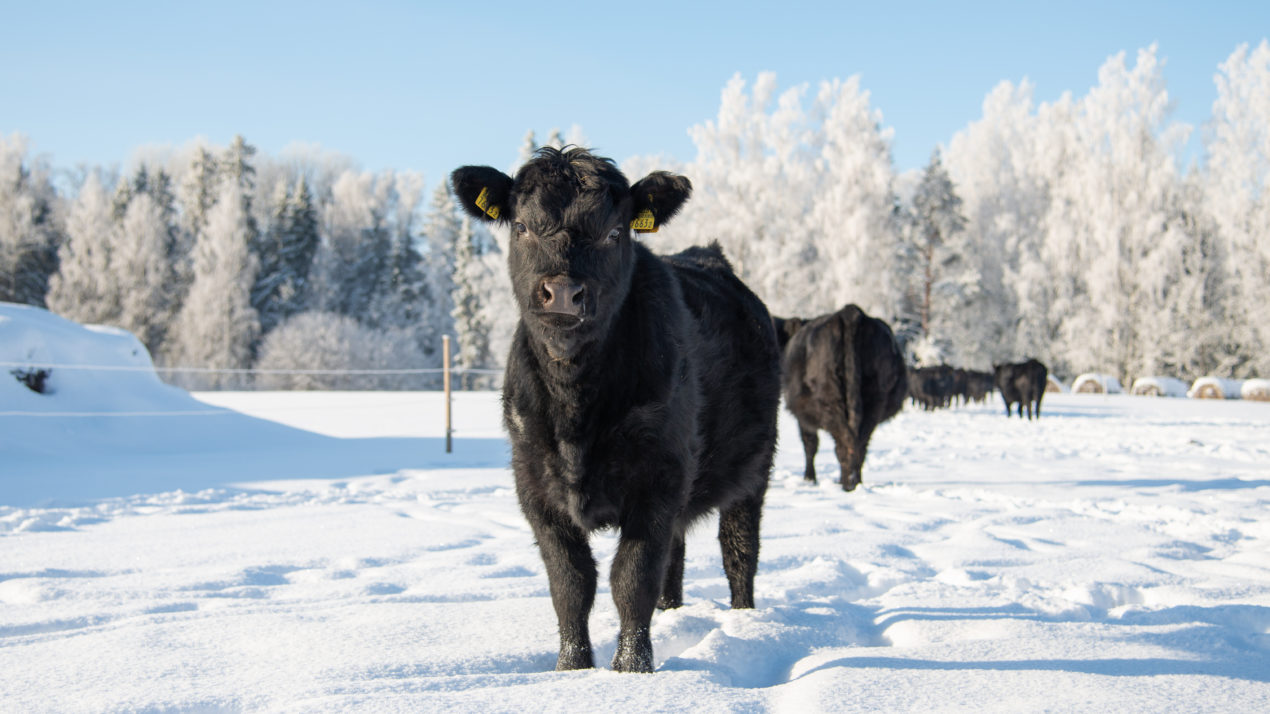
pixel 321 552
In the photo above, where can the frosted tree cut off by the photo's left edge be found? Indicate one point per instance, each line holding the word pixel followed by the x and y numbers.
pixel 29 237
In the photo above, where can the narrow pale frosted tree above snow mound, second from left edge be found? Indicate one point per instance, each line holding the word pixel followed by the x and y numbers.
pixel 84 289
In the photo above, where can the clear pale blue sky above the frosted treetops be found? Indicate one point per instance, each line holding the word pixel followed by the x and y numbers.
pixel 434 86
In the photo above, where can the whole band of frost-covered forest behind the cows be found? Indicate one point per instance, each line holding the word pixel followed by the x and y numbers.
pixel 1070 231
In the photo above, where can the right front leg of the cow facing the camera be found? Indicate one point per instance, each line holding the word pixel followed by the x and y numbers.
pixel 639 569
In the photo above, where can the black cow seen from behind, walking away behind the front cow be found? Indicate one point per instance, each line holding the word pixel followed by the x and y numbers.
pixel 843 374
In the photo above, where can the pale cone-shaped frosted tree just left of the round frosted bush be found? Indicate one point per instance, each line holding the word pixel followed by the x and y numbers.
pixel 218 326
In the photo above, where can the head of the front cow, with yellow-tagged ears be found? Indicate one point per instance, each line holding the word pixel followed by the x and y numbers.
pixel 571 217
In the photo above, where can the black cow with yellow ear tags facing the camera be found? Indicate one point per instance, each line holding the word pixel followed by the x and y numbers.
pixel 641 391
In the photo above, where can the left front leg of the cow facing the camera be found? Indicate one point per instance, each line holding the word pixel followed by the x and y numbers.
pixel 572 577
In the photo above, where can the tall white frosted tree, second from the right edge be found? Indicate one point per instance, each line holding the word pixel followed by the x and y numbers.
pixel 1109 209
